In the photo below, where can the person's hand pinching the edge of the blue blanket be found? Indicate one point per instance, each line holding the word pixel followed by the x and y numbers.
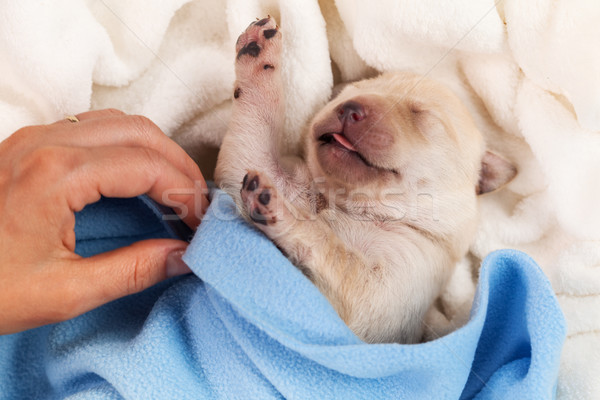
pixel 49 172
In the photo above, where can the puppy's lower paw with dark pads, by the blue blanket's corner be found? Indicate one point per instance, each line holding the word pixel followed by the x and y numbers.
pixel 260 199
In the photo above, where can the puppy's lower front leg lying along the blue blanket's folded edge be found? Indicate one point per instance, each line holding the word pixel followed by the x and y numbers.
pixel 343 275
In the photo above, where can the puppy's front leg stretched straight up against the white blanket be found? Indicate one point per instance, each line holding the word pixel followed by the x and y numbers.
pixel 258 111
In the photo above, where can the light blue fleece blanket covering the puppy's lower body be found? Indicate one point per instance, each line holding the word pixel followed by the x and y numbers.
pixel 249 325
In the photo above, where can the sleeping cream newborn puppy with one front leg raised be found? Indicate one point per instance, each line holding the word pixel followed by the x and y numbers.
pixel 384 201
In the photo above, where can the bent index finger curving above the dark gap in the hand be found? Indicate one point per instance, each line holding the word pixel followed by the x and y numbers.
pixel 130 172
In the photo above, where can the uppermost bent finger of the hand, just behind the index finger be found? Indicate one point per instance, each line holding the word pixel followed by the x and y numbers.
pixel 113 128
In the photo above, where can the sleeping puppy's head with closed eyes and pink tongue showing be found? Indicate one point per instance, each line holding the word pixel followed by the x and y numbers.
pixel 397 137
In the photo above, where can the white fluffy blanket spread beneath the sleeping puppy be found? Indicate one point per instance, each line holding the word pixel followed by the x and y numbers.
pixel 530 70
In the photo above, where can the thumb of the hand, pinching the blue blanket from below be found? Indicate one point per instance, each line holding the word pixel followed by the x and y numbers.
pixel 130 269
